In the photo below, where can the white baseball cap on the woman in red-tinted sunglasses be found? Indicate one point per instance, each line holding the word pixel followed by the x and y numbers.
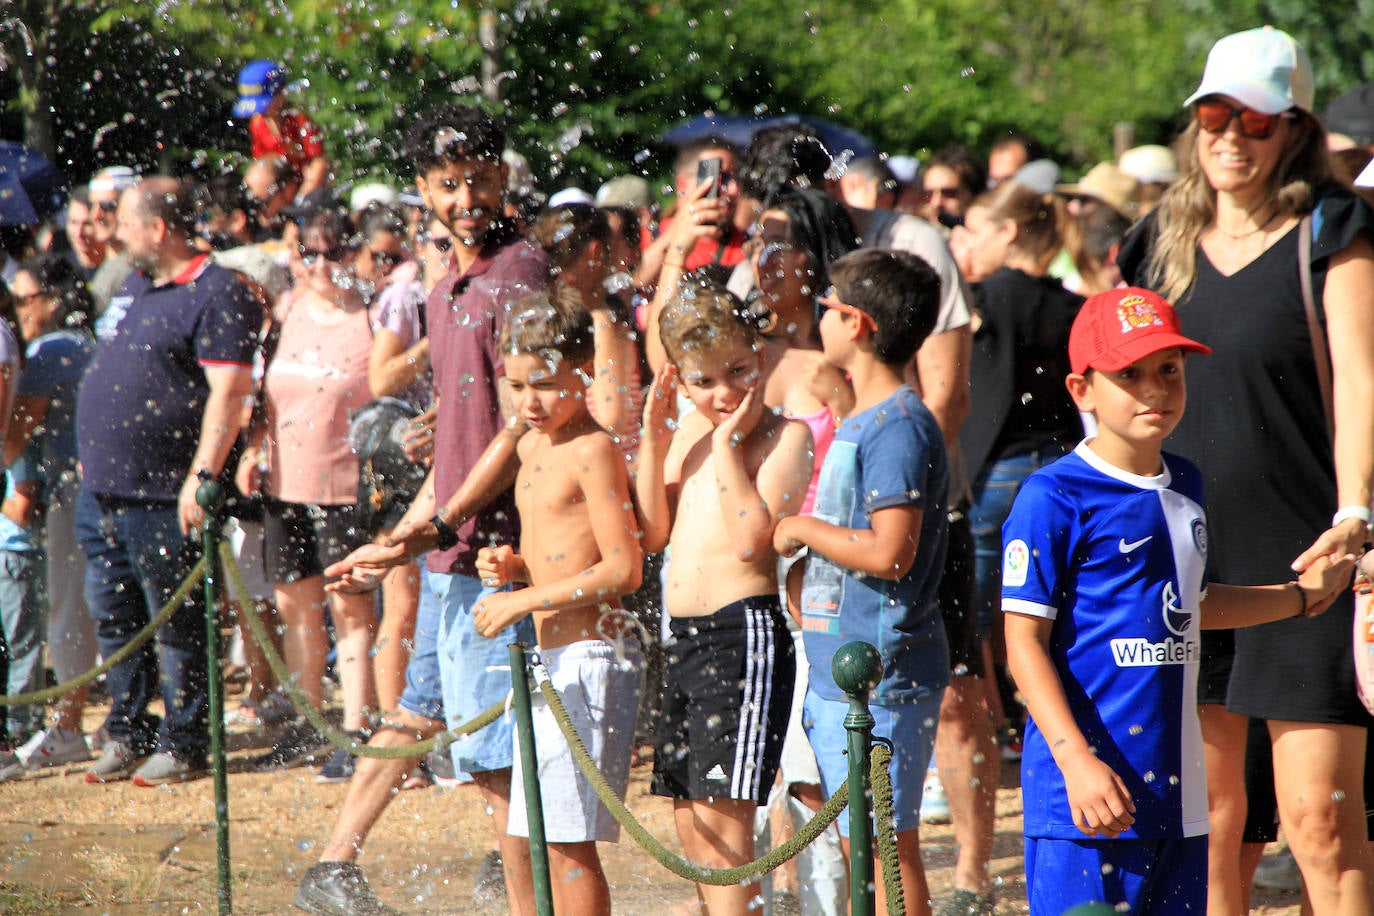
pixel 1263 69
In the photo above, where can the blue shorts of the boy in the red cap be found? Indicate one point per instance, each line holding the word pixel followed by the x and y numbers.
pixel 1138 877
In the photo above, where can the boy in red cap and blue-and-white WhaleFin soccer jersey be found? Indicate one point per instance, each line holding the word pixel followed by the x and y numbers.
pixel 1104 591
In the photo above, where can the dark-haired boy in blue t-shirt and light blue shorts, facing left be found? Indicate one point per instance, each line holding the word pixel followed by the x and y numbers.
pixel 877 538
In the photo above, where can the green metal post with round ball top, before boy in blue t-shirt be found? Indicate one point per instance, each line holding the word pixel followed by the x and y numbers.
pixel 858 668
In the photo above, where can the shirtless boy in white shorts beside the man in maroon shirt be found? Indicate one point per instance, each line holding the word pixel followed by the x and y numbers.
pixel 579 553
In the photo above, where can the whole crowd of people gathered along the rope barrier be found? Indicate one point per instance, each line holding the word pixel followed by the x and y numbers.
pixel 690 450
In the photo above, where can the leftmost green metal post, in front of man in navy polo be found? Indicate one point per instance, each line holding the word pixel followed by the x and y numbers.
pixel 211 498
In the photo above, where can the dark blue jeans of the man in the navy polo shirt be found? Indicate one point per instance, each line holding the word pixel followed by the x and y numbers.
pixel 137 558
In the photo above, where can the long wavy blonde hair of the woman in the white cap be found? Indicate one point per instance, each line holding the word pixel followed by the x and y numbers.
pixel 1188 209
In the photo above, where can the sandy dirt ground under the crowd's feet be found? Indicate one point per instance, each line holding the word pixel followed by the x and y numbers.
pixel 72 848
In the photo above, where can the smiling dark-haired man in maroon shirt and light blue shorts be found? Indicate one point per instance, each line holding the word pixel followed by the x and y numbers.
pixel 461 176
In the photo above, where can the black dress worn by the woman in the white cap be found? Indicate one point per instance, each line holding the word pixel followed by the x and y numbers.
pixel 1255 425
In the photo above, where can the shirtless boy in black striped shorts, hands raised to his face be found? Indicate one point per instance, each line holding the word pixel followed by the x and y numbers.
pixel 712 492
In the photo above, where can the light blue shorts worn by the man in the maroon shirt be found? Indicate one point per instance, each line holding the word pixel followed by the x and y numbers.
pixel 475 674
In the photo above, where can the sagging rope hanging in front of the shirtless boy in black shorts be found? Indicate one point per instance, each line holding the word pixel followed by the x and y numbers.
pixel 666 858
